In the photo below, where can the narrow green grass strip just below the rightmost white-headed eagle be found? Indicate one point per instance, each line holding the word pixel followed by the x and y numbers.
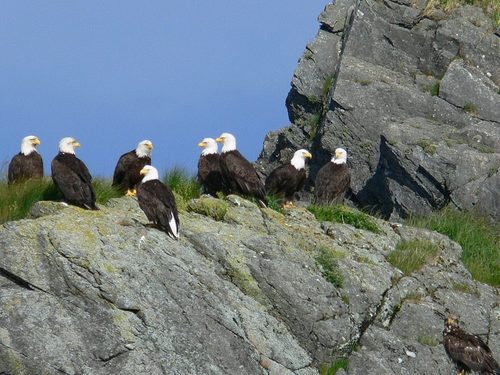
pixel 345 215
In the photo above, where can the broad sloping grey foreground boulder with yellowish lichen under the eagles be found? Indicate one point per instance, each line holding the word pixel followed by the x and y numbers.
pixel 86 292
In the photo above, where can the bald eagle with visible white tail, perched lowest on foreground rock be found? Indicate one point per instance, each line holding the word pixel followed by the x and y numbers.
pixel 158 202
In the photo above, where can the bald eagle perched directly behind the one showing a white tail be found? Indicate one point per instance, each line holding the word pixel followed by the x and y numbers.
pixel 127 175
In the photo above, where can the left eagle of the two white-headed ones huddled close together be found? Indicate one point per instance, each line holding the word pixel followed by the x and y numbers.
pixel 209 172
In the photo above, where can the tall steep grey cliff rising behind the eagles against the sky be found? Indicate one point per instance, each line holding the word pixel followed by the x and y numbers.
pixel 412 94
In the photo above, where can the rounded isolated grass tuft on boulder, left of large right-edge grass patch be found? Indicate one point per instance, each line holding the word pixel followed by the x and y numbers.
pixel 412 255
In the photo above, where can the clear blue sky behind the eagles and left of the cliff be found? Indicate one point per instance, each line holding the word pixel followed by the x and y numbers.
pixel 112 73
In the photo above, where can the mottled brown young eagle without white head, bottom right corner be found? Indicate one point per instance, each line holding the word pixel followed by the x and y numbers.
pixel 468 351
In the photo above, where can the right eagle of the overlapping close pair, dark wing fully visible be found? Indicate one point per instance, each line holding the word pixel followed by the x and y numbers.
pixel 238 173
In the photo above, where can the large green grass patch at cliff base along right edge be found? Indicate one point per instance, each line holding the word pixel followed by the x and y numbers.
pixel 479 238
